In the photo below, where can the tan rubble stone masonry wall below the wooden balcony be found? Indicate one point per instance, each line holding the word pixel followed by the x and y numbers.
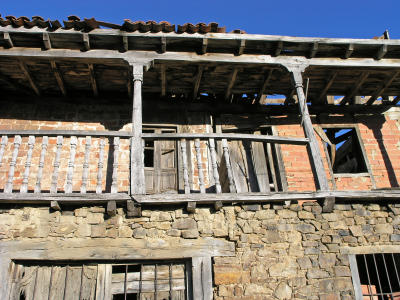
pixel 294 252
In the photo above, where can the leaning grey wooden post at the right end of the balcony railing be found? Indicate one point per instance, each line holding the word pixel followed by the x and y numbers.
pixel 315 155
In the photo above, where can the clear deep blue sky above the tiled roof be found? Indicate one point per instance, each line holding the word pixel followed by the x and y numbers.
pixel 323 18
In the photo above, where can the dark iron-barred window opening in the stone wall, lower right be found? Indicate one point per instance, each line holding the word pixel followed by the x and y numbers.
pixel 379 275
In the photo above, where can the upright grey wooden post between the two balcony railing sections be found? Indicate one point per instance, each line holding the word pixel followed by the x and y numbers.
pixel 137 156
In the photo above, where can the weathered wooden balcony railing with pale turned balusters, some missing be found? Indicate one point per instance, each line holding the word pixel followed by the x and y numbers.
pixel 89 163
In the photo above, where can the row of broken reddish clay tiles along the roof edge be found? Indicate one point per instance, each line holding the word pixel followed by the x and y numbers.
pixel 87 25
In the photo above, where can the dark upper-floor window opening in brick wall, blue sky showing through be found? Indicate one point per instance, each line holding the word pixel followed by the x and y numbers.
pixel 344 151
